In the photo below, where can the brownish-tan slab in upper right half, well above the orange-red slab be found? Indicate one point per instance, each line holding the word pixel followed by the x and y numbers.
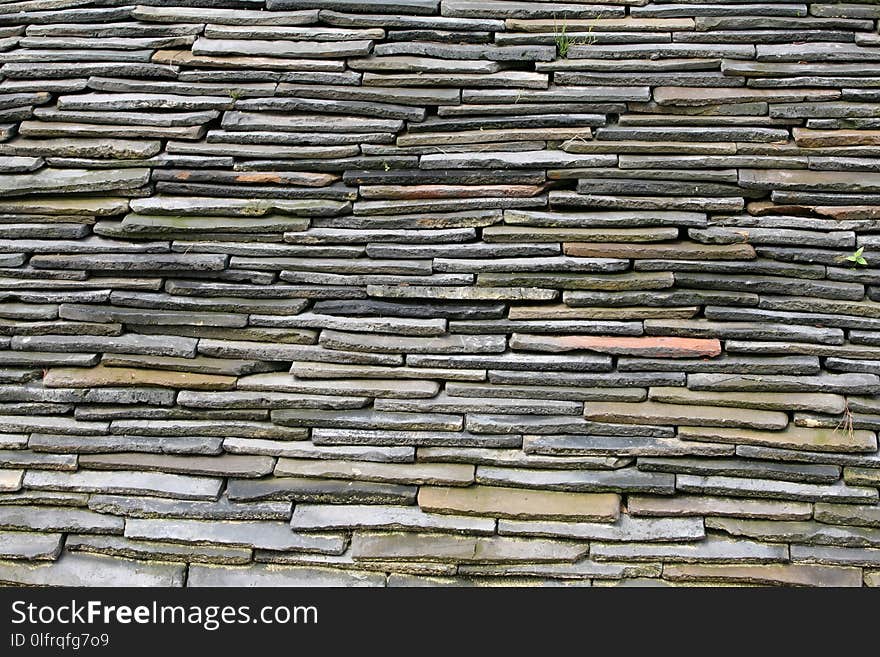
pixel 675 251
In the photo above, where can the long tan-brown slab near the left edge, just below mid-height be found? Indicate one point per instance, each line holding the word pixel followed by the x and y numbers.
pixel 89 377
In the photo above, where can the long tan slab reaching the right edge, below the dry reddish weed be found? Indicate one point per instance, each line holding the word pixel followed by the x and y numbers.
pixel 794 437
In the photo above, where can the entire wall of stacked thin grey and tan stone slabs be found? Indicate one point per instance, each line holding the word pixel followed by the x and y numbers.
pixel 439 292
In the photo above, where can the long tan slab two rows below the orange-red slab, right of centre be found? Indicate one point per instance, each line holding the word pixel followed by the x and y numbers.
pixel 684 414
